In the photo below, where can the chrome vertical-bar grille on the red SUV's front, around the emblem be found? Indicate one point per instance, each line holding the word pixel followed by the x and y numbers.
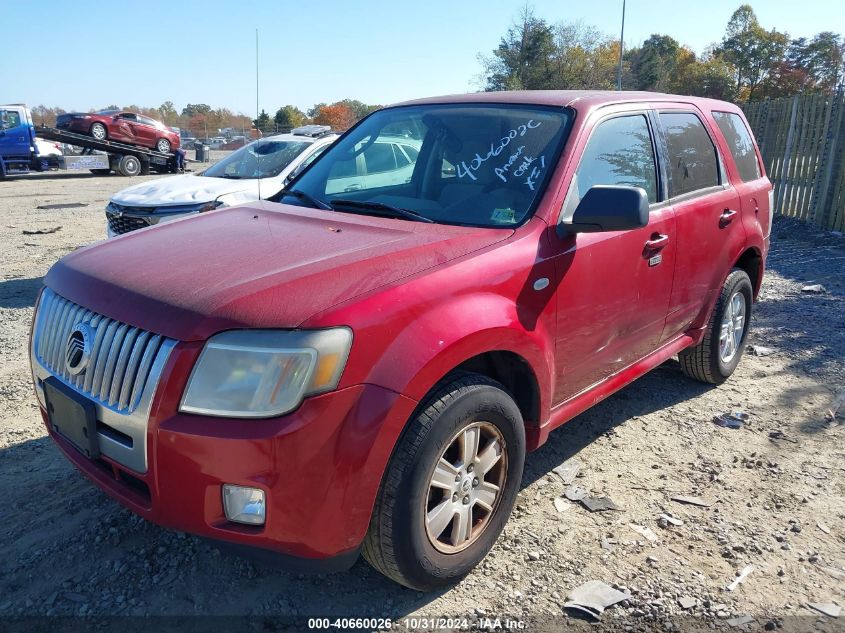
pixel 122 357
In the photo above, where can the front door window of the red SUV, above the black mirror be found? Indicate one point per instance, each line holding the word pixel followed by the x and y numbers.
pixel 619 152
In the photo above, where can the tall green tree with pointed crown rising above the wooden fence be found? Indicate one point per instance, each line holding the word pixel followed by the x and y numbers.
pixel 752 50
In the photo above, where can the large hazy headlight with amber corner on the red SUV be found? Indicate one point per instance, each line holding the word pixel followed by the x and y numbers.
pixel 265 373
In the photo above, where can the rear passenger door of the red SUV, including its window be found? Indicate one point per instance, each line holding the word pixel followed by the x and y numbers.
pixel 706 205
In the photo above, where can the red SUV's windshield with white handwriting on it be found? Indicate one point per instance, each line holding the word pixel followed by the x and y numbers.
pixel 479 165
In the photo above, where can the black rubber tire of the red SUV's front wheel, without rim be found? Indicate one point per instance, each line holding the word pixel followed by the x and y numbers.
pixel 397 543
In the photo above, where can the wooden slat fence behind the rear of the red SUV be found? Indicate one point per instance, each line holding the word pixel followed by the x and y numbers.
pixel 802 140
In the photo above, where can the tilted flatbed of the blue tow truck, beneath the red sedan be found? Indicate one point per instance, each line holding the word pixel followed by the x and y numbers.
pixel 125 159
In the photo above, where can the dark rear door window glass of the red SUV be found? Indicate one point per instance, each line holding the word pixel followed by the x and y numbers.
pixel 692 158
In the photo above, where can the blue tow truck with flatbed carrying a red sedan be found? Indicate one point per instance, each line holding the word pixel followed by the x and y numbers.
pixel 19 151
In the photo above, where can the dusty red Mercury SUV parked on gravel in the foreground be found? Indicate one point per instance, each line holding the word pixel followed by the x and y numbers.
pixel 362 368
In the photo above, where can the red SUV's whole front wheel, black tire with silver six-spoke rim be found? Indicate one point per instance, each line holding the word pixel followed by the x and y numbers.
pixel 401 543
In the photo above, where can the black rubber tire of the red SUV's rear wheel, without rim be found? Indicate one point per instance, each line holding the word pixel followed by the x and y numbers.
pixel 703 361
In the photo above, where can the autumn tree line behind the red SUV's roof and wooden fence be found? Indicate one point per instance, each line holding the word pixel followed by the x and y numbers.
pixel 748 63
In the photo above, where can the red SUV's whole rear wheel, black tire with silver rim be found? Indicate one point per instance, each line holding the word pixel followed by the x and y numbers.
pixel 709 361
